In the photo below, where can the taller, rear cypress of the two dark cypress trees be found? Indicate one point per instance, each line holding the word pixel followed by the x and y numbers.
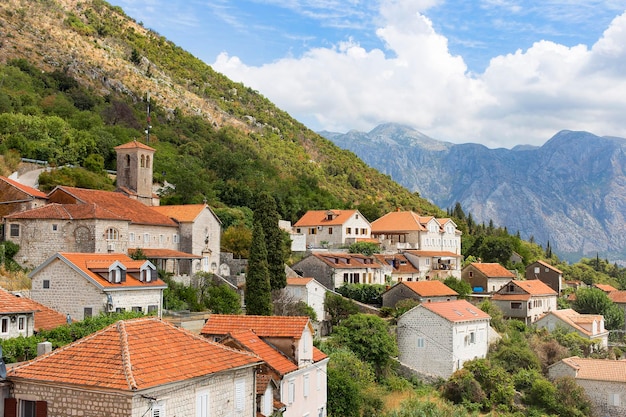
pixel 266 214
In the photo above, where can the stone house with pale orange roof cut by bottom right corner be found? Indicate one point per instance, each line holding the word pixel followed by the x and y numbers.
pixel 603 380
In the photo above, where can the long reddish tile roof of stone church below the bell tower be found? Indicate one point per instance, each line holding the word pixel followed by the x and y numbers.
pixel 127 208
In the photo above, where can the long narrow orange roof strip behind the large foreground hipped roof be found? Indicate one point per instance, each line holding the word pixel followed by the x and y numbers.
pixel 263 326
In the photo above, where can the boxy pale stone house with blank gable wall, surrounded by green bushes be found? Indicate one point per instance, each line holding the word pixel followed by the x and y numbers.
pixel 435 339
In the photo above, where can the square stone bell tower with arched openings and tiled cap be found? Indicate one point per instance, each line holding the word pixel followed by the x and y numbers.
pixel 134 171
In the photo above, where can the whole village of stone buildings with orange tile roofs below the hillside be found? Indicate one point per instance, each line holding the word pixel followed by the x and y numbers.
pixel 79 244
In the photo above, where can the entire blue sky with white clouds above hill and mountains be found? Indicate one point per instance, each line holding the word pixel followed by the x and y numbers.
pixel 497 72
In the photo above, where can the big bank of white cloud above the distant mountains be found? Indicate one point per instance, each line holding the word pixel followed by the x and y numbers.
pixel 521 98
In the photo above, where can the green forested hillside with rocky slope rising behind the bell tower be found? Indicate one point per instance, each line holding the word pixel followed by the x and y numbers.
pixel 74 76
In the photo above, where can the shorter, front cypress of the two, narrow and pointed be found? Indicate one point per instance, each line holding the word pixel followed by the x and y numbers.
pixel 258 293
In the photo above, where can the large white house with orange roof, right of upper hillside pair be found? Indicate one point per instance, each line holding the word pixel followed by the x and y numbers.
pixel 400 230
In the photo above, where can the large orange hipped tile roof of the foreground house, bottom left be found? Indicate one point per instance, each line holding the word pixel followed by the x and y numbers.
pixel 133 355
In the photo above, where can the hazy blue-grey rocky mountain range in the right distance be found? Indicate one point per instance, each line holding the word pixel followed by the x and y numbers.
pixel 570 192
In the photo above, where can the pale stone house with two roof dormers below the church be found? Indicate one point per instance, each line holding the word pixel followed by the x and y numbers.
pixel 86 284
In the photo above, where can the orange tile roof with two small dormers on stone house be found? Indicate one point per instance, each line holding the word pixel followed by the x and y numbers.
pixel 85 263
